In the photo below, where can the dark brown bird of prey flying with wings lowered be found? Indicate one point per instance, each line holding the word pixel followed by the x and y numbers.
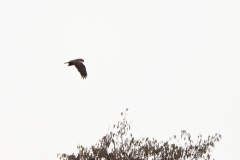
pixel 79 65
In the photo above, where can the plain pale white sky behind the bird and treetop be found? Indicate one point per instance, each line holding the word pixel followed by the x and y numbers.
pixel 174 64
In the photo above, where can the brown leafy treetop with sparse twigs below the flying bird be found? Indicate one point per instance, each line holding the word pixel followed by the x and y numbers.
pixel 120 145
